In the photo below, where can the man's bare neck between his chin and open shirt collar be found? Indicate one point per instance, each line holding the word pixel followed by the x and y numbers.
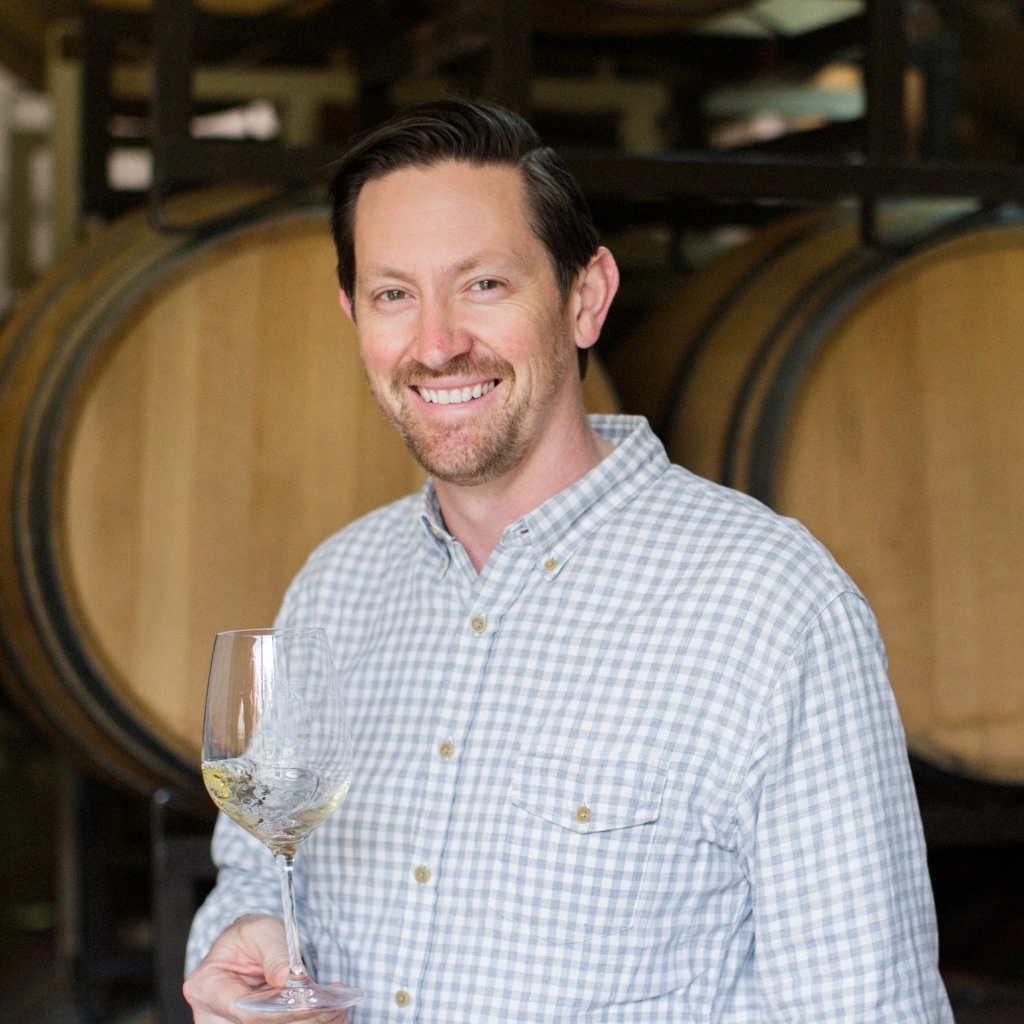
pixel 478 515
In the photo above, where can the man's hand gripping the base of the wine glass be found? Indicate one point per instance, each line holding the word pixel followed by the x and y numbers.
pixel 248 956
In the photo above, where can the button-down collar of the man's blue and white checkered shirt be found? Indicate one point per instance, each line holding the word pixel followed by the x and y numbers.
pixel 556 530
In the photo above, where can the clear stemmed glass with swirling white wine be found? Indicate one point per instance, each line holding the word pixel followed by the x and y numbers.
pixel 277 759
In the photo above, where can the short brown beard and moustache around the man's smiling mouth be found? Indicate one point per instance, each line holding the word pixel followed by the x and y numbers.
pixel 482 449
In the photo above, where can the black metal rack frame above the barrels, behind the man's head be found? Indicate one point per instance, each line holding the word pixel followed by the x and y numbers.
pixel 880 173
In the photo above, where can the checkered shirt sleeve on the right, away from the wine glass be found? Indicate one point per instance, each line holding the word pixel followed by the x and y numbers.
pixel 844 915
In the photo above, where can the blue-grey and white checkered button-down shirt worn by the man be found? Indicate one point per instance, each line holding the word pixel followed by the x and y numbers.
pixel 646 767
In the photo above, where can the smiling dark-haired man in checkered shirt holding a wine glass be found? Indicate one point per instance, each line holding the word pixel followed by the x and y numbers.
pixel 626 750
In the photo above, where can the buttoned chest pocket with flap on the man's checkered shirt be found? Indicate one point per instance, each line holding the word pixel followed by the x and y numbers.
pixel 574 846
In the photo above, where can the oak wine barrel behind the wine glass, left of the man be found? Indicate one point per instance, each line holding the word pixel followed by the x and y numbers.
pixel 186 416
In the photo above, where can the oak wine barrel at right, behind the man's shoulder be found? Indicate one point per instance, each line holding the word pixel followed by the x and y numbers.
pixel 875 393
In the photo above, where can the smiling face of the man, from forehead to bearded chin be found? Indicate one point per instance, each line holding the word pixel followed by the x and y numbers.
pixel 467 344
